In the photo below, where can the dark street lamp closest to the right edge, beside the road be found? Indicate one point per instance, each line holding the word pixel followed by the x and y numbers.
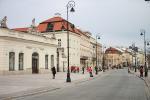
pixel 145 66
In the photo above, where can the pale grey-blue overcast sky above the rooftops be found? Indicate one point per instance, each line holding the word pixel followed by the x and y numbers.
pixel 117 21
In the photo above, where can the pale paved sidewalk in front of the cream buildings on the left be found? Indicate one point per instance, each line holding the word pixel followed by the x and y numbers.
pixel 13 86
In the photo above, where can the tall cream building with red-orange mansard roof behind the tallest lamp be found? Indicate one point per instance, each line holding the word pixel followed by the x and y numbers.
pixel 80 43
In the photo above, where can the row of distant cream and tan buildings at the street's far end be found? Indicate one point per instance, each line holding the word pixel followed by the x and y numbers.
pixel 123 57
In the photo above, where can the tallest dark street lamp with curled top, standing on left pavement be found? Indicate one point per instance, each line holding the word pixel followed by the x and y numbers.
pixel 70 5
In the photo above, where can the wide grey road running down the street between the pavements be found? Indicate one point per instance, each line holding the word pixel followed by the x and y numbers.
pixel 113 85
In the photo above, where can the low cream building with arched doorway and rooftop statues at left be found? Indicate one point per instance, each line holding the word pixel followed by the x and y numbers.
pixel 22 52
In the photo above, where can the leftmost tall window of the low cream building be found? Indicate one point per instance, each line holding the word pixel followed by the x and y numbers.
pixel 11 61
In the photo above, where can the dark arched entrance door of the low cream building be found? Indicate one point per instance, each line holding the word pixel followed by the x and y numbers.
pixel 35 63
